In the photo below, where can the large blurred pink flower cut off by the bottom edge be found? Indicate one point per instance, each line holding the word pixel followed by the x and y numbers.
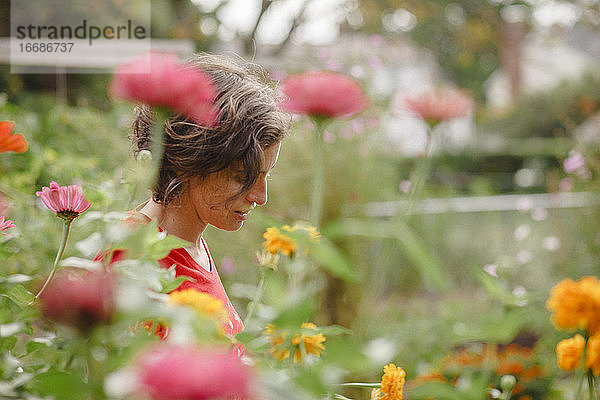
pixel 171 372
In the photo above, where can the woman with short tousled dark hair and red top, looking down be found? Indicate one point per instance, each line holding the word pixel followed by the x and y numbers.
pixel 214 176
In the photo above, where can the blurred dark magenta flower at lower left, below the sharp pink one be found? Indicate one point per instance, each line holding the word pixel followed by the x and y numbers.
pixel 79 299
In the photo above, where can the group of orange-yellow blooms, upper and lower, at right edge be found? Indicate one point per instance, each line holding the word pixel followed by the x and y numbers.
pixel 576 305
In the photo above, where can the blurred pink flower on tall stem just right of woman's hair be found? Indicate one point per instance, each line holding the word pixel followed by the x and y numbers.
pixel 323 94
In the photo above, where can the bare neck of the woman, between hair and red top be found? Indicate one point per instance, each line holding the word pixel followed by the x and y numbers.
pixel 176 220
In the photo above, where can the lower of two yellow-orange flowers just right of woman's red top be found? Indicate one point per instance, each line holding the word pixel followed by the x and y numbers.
pixel 301 343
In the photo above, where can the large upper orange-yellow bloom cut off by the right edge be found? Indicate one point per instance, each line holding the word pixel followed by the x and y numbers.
pixel 576 304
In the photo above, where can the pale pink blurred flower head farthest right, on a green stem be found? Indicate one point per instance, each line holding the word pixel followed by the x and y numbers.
pixel 442 105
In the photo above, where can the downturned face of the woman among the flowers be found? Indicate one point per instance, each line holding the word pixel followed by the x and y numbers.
pixel 209 198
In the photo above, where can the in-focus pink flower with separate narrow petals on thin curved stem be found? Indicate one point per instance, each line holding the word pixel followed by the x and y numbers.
pixel 67 202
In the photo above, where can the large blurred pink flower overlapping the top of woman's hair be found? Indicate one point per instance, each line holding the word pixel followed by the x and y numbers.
pixel 160 80
